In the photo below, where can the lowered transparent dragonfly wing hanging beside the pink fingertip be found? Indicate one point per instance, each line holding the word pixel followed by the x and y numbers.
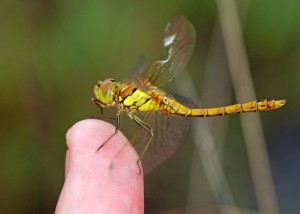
pixel 168 131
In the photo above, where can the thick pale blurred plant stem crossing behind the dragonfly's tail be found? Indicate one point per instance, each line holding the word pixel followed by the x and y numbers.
pixel 251 124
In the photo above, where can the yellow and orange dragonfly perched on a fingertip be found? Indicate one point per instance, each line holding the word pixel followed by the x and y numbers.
pixel 162 117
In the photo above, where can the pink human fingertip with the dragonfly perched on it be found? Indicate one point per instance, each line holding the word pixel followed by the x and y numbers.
pixel 107 181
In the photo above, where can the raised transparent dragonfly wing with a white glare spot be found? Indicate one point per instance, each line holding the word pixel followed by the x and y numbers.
pixel 179 43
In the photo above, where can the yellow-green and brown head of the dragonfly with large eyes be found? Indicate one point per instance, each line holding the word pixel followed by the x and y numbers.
pixel 105 92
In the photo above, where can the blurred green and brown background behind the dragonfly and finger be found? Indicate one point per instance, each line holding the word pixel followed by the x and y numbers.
pixel 52 52
